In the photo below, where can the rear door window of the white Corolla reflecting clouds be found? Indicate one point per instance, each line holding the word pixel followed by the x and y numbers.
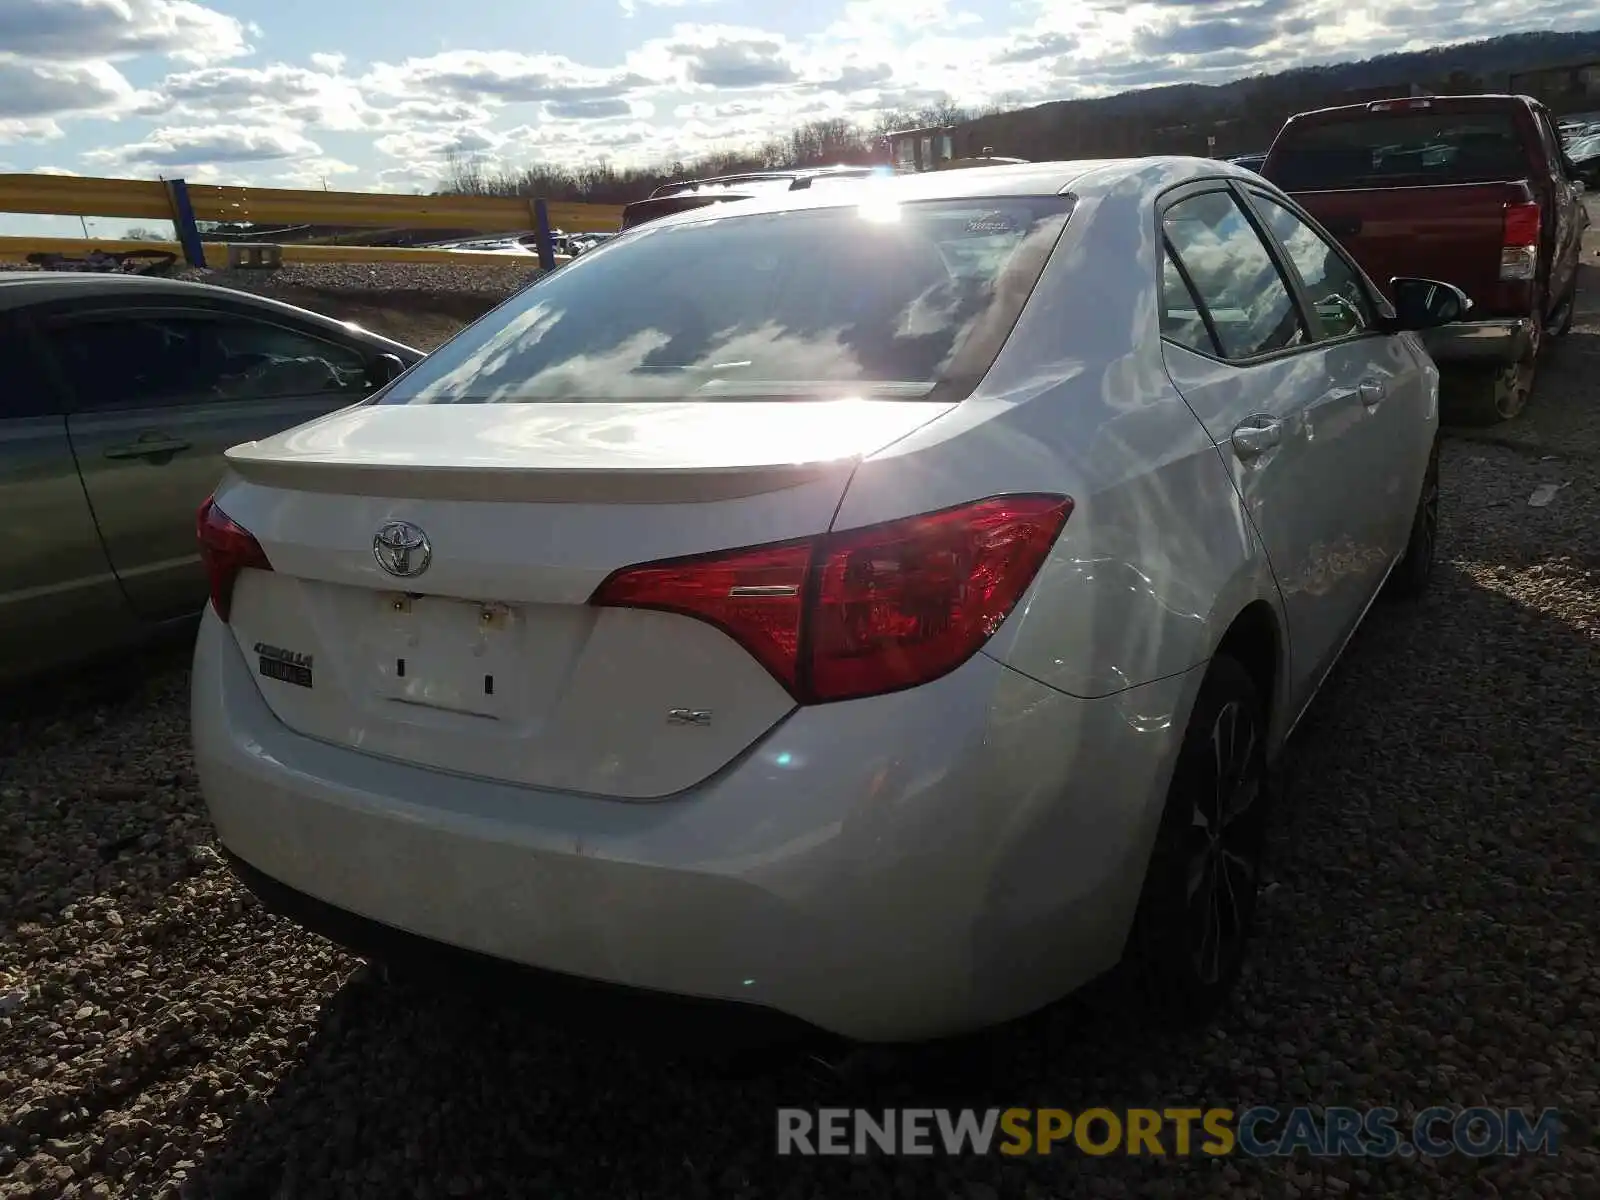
pixel 1250 306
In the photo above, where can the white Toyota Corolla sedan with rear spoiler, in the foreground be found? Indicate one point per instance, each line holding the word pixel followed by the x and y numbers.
pixel 881 604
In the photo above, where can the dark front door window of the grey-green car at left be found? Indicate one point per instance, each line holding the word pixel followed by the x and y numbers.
pixel 175 359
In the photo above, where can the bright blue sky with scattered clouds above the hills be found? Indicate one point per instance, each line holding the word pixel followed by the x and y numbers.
pixel 375 94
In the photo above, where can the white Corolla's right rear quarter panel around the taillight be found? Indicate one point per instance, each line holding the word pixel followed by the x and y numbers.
pixel 1079 402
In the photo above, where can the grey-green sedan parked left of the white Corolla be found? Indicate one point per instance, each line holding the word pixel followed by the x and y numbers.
pixel 121 396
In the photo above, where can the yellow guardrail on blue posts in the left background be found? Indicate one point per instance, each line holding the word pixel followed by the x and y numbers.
pixel 190 204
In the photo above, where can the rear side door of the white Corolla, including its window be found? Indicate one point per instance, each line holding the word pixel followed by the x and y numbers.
pixel 1241 351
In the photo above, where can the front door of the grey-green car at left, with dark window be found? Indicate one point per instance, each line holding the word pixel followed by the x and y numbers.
pixel 158 393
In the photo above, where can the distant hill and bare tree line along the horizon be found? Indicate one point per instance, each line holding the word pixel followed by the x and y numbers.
pixel 1199 119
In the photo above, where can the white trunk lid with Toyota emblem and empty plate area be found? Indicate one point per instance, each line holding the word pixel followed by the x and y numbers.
pixel 487 658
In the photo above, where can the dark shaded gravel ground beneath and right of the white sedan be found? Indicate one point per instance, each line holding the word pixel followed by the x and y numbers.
pixel 1436 878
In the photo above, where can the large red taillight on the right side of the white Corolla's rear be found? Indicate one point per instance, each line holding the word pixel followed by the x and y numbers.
pixel 863 612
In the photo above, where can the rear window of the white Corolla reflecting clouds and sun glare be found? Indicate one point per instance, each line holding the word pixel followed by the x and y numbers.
pixel 866 300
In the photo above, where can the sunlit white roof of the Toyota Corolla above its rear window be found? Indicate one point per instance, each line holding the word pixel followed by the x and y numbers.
pixel 1082 178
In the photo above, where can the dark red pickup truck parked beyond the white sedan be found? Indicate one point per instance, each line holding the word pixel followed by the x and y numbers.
pixel 1470 190
